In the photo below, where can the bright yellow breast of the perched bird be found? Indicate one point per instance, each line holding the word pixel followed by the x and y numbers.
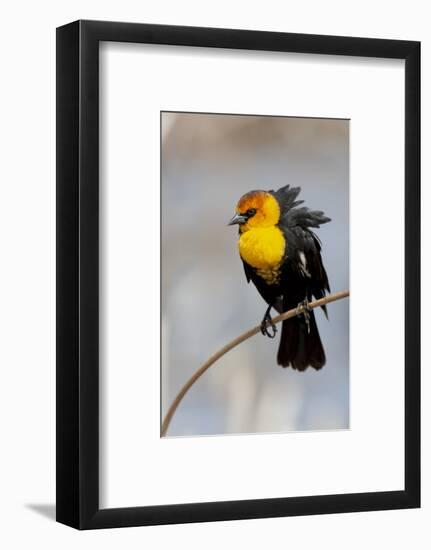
pixel 262 248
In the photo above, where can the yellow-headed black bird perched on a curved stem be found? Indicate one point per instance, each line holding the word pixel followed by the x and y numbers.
pixel 282 256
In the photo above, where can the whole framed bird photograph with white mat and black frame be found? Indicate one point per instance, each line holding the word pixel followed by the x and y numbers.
pixel 238 274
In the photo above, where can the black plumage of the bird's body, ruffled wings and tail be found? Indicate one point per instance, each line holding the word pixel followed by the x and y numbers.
pixel 302 278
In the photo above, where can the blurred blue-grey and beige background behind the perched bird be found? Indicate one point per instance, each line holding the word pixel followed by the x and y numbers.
pixel 208 162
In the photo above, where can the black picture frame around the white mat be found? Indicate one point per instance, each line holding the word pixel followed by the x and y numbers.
pixel 78 273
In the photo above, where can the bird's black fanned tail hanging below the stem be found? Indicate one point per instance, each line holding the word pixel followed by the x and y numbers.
pixel 300 348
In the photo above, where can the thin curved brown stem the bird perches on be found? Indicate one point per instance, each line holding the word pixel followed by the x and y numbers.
pixel 236 342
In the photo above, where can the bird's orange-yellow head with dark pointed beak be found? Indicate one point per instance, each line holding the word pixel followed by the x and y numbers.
pixel 256 209
